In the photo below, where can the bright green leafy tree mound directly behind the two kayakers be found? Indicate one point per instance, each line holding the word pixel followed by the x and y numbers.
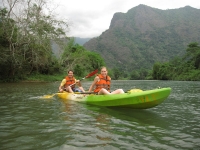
pixel 77 57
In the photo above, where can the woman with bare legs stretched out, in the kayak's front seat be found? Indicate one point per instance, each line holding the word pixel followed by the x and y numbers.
pixel 102 84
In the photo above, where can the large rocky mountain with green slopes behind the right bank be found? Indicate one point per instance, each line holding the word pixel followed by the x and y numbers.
pixel 144 35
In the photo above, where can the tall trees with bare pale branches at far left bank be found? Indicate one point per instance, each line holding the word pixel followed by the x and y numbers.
pixel 27 36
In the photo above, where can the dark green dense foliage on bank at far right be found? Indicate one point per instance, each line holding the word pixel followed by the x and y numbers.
pixel 185 68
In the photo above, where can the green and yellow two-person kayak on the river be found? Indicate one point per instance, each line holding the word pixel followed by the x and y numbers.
pixel 135 98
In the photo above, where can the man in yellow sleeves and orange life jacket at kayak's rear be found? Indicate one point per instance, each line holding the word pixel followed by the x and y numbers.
pixel 68 84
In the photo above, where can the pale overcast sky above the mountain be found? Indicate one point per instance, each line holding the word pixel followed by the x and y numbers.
pixel 89 18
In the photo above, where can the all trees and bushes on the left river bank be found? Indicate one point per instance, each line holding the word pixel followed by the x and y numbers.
pixel 26 44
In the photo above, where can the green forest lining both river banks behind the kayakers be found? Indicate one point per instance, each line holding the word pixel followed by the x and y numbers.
pixel 26 38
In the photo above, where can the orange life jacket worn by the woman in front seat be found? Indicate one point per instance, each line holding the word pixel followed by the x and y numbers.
pixel 103 83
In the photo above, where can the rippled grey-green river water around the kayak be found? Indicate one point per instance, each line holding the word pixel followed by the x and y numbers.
pixel 29 122
